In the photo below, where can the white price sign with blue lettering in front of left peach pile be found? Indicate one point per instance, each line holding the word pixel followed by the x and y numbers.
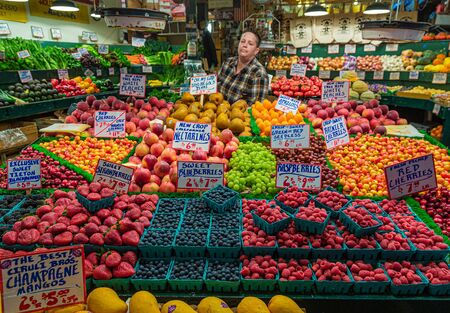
pixel 109 124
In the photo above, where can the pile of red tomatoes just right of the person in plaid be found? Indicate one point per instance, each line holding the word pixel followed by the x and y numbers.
pixel 298 87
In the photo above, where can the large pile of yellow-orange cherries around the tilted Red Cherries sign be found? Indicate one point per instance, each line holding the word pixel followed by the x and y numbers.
pixel 361 162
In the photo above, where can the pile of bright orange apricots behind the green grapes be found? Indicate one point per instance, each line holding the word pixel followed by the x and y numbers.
pixel 266 116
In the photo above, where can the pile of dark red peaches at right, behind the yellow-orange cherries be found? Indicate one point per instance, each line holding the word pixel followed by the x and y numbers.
pixel 369 117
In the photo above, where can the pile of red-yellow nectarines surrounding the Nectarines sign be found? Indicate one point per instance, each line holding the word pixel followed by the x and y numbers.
pixel 155 160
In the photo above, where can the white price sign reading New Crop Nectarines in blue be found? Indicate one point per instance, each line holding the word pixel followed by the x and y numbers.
pixel 192 136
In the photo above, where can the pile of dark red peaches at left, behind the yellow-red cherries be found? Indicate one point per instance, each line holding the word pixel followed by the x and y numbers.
pixel 139 113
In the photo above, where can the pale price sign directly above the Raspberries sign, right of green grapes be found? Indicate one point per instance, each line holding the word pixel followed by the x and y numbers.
pixel 290 136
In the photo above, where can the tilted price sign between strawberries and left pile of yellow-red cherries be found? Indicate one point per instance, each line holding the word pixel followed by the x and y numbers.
pixel 116 176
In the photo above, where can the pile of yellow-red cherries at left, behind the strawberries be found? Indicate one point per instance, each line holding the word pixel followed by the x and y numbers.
pixel 86 153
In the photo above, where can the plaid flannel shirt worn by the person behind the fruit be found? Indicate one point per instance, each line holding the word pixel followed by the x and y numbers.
pixel 251 84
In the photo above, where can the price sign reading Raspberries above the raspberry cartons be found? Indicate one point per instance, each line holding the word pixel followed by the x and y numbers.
pixel 304 176
